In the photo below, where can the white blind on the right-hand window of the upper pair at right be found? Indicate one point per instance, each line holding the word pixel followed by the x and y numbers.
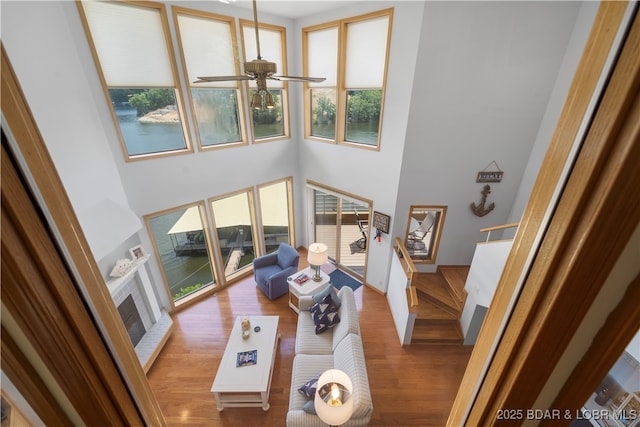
pixel 366 53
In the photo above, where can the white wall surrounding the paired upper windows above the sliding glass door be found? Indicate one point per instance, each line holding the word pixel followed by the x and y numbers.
pixel 373 174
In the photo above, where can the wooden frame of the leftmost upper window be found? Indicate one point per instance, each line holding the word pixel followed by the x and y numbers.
pixel 177 87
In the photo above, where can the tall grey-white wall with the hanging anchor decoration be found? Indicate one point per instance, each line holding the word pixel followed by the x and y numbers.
pixel 486 72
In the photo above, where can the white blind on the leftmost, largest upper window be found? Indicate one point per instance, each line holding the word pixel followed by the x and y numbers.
pixel 130 44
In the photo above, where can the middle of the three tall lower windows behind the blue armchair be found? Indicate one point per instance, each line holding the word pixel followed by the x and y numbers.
pixel 234 218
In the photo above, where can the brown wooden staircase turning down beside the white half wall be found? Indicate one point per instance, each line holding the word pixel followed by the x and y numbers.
pixel 441 298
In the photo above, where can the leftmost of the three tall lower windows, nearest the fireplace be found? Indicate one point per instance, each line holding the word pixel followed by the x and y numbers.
pixel 180 239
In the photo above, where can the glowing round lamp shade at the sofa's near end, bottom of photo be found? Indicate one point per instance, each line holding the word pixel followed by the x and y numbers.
pixel 333 400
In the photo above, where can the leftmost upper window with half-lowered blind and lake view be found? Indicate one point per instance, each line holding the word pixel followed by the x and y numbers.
pixel 131 47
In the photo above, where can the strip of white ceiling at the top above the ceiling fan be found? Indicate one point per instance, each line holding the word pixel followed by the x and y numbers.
pixel 292 9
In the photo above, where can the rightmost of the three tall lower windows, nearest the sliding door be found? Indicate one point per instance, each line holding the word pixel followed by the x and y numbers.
pixel 276 213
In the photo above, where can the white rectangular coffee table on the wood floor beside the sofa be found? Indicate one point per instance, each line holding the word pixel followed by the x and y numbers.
pixel 247 385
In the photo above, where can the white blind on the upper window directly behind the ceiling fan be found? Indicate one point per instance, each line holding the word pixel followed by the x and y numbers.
pixel 270 50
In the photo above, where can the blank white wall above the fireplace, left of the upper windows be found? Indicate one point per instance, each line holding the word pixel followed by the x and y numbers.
pixel 40 41
